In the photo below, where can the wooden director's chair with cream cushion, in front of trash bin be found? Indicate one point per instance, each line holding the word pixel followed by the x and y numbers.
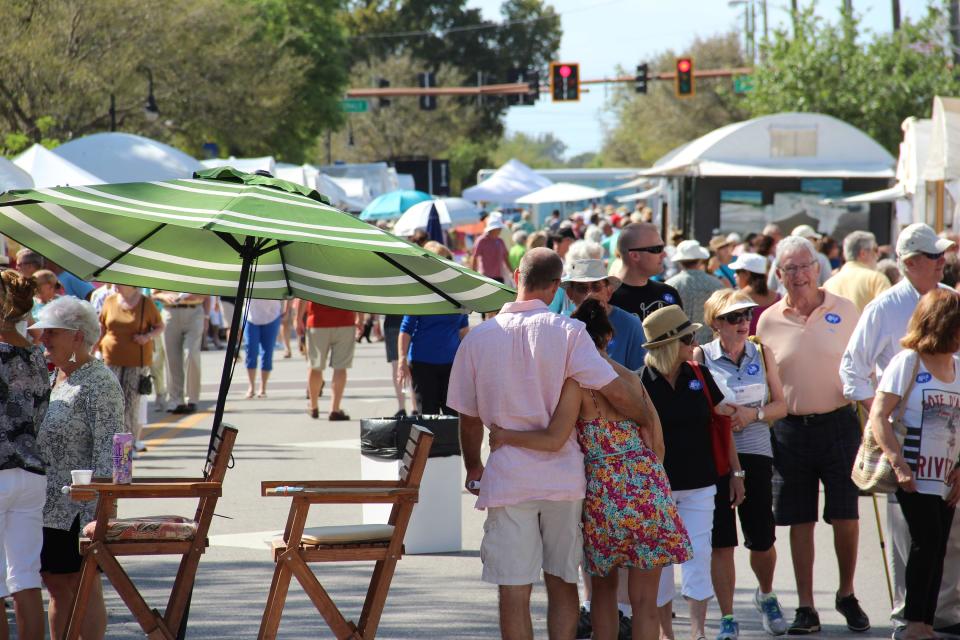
pixel 382 543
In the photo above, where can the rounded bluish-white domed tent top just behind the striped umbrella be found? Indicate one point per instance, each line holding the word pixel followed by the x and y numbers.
pixel 124 157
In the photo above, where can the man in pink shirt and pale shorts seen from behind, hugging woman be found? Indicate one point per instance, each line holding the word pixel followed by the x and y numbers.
pixel 509 371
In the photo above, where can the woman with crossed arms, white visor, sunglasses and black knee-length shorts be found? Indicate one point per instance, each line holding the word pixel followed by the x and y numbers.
pixel 750 373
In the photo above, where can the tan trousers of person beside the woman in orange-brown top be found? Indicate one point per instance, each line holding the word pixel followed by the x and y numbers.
pixel 182 339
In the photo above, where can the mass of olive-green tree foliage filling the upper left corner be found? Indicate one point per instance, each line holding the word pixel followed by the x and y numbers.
pixel 254 79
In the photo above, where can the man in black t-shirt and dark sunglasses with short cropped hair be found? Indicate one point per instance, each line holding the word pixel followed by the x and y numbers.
pixel 641 251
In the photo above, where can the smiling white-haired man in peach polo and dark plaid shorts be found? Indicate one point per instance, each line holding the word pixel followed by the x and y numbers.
pixel 817 441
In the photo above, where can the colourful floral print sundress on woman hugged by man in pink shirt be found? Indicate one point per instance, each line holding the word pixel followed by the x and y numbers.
pixel 630 518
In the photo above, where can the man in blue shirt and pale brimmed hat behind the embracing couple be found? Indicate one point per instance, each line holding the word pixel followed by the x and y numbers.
pixel 588 278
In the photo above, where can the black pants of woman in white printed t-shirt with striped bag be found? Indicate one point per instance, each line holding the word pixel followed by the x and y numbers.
pixel 928 519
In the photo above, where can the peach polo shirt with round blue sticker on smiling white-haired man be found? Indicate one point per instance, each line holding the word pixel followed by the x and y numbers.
pixel 808 351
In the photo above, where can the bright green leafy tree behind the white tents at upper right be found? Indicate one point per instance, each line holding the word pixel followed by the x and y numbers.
pixel 871 81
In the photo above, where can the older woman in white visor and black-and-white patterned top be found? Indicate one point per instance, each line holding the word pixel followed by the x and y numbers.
pixel 85 411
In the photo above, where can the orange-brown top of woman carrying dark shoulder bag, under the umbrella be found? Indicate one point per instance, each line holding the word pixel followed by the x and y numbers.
pixel 120 325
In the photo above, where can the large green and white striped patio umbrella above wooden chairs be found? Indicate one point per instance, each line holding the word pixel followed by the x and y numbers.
pixel 192 235
